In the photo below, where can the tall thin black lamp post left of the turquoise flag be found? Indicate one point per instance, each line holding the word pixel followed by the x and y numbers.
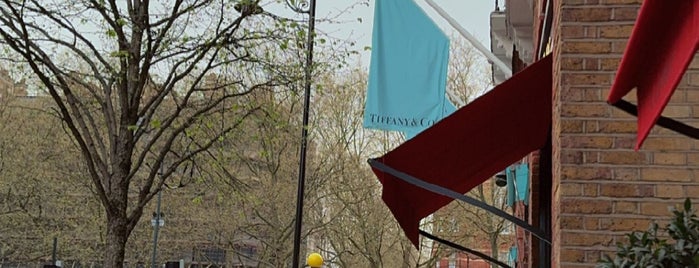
pixel 304 135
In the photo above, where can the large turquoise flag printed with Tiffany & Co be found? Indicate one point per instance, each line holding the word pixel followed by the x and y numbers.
pixel 408 71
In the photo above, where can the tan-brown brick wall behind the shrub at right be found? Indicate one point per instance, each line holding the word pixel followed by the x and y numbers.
pixel 602 188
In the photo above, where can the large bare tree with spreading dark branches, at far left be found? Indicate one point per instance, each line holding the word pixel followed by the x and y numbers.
pixel 137 82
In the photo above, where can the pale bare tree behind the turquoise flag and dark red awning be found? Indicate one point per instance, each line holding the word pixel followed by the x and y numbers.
pixel 360 230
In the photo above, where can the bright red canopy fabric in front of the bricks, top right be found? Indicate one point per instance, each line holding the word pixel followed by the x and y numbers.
pixel 661 46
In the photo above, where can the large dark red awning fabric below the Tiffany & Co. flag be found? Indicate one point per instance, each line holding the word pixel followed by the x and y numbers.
pixel 469 146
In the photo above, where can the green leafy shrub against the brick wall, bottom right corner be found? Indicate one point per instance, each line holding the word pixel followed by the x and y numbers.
pixel 648 249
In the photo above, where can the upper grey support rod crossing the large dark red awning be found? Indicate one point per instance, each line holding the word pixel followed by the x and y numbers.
pixel 457 196
